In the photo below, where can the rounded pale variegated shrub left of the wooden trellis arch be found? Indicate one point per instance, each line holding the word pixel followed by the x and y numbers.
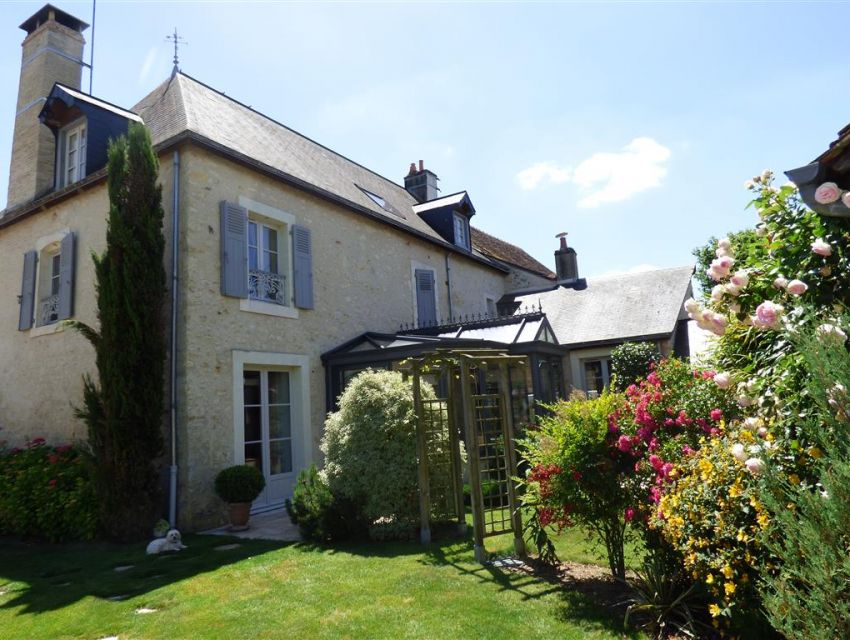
pixel 370 452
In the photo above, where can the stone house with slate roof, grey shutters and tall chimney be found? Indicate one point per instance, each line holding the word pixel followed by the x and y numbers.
pixel 290 263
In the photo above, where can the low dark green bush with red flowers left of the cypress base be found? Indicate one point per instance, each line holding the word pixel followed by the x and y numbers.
pixel 47 492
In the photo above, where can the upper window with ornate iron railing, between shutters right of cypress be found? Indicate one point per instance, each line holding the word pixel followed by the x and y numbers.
pixel 266 281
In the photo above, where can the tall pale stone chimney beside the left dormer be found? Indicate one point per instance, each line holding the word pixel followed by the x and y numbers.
pixel 52 52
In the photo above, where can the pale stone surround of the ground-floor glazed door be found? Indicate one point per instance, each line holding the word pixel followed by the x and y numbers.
pixel 298 366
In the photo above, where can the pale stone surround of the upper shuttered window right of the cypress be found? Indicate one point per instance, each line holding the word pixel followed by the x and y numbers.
pixel 282 222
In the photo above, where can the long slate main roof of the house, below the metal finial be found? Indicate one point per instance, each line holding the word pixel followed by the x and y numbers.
pixel 183 104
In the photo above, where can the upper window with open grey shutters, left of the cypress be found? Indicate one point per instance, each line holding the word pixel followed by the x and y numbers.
pixel 47 285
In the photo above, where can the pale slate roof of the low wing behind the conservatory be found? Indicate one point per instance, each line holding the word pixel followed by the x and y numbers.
pixel 616 308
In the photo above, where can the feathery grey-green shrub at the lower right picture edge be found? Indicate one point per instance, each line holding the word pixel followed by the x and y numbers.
pixel 808 596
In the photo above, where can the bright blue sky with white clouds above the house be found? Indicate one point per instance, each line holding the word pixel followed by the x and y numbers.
pixel 632 126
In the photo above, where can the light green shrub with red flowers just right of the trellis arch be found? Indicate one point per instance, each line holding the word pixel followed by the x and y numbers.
pixel 573 478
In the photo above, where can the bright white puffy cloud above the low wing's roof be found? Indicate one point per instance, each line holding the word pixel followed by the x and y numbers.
pixel 606 177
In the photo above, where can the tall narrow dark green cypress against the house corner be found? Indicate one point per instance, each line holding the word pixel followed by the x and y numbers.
pixel 124 408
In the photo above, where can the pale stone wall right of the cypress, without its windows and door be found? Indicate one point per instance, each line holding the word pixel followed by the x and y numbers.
pixel 363 281
